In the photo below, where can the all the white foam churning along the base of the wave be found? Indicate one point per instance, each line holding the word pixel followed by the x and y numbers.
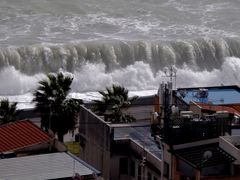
pixel 138 78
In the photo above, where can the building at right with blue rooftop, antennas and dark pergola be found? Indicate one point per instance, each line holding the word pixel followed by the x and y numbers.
pixel 192 142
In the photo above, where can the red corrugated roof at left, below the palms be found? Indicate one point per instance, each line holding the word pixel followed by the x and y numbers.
pixel 17 135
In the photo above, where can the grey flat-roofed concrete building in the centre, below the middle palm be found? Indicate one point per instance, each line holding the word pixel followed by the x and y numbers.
pixel 119 151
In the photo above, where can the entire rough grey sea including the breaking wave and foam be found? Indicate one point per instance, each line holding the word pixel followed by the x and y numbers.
pixel 101 42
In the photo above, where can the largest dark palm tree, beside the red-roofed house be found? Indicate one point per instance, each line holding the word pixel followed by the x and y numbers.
pixel 57 112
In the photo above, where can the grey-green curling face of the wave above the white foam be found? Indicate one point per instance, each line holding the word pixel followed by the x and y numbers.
pixel 199 54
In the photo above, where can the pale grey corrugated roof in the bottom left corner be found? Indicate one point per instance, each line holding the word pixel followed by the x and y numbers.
pixel 45 166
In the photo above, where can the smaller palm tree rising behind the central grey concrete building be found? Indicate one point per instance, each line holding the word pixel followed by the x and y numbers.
pixel 113 104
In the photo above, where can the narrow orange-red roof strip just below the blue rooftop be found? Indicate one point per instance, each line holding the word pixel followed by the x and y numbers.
pixel 218 108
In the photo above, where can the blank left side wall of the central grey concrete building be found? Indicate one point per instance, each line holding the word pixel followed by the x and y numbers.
pixel 96 134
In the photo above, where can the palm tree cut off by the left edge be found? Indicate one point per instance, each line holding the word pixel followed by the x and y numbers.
pixel 7 111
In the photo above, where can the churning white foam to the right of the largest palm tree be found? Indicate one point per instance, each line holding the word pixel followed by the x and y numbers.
pixel 139 76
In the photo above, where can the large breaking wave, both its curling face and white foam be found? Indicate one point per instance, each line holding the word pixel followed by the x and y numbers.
pixel 136 65
